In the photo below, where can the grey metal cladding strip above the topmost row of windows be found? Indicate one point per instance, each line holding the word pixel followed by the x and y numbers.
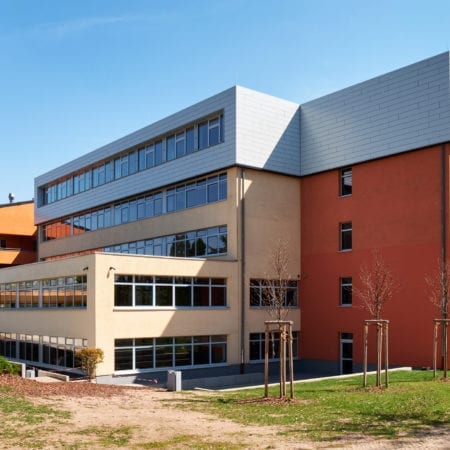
pixel 222 101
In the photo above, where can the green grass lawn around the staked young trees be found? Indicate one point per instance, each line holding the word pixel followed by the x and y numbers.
pixel 327 410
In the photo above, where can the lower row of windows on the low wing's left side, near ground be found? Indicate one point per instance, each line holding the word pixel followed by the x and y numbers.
pixel 48 350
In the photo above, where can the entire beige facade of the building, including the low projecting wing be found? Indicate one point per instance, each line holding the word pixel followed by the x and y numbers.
pixel 259 209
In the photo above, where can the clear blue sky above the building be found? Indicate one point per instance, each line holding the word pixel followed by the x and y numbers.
pixel 78 74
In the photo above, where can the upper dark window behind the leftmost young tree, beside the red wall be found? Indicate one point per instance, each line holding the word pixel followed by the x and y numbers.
pixel 265 293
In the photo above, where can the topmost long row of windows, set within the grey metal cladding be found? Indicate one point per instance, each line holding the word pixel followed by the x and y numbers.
pixel 196 137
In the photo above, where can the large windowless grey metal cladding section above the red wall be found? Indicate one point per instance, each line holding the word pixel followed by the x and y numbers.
pixel 399 111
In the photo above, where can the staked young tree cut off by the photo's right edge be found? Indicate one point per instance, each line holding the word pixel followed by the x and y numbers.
pixel 439 292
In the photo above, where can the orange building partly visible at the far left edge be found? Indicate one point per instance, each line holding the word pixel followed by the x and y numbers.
pixel 17 234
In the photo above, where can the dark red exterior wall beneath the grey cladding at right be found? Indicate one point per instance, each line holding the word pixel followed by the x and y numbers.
pixel 394 208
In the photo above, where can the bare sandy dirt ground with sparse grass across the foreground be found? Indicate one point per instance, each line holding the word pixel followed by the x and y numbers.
pixel 104 416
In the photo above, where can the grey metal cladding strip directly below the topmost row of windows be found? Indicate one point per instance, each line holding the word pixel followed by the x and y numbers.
pixel 190 166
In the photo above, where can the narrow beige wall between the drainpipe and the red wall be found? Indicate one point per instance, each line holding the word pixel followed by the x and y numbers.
pixel 271 214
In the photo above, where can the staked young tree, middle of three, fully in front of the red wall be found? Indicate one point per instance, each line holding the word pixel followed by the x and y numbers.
pixel 378 285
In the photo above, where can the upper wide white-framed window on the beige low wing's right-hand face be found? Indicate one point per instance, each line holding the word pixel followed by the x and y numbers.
pixel 146 291
